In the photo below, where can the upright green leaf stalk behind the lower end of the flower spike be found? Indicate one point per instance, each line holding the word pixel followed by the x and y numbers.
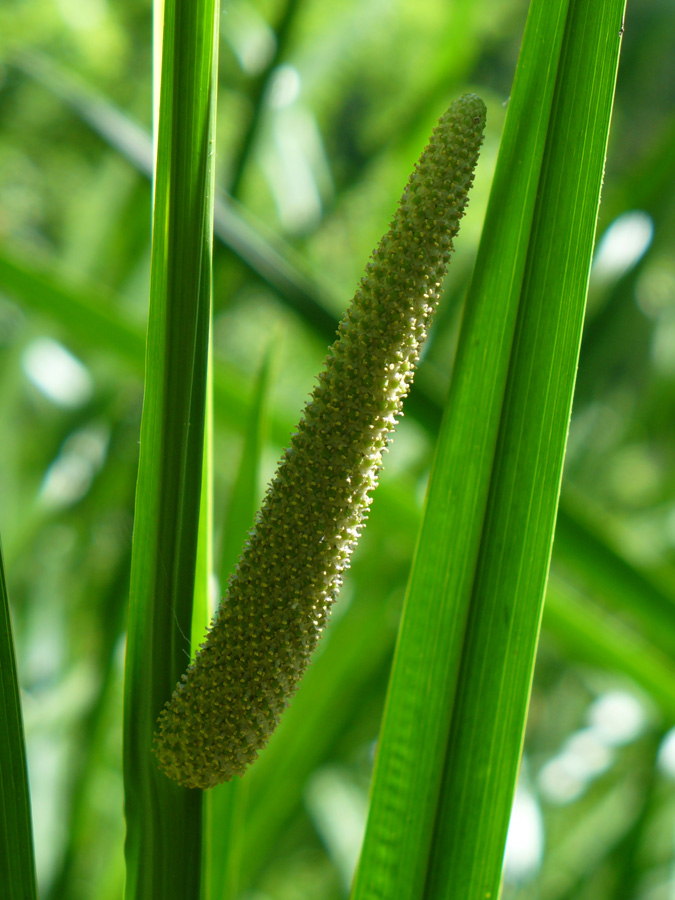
pixel 163 847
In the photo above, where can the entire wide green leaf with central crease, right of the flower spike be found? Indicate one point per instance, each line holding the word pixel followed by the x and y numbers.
pixel 533 262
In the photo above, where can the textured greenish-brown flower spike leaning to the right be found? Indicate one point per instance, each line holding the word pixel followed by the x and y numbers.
pixel 226 706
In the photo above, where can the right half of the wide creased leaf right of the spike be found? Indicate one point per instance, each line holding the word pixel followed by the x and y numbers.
pixel 500 645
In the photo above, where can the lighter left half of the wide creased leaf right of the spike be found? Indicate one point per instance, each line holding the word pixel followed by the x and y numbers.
pixel 415 730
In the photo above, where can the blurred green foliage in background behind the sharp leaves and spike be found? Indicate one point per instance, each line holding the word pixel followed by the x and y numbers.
pixel 323 109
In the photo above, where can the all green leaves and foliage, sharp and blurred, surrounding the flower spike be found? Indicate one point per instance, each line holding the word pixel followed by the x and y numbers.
pixel 321 112
